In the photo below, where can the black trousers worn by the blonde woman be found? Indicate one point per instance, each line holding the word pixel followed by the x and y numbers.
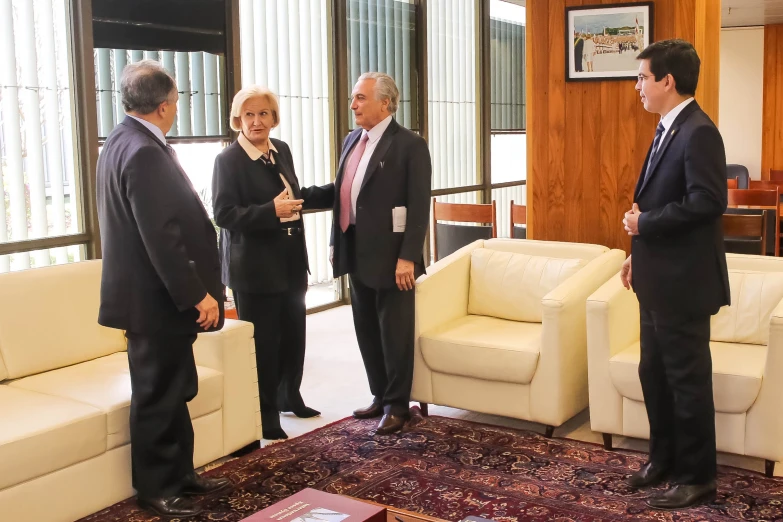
pixel 280 327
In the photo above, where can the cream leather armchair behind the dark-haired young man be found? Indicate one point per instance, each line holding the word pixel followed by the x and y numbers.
pixel 747 361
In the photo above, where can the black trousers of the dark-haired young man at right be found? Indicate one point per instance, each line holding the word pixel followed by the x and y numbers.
pixel 676 375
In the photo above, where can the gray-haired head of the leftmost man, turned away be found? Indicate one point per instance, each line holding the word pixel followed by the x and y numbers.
pixel 145 85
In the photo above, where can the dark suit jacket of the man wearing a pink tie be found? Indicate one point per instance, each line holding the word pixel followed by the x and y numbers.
pixel 398 175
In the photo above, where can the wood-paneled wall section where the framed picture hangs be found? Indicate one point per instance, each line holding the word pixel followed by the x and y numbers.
pixel 587 140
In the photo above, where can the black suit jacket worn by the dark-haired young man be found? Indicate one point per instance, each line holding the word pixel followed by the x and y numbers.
pixel 679 260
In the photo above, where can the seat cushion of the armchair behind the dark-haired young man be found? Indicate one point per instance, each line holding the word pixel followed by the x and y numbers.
pixel 737 371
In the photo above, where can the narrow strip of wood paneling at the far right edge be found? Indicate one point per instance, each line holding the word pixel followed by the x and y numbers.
pixel 772 133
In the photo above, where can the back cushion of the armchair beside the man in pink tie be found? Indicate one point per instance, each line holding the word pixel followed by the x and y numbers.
pixel 510 286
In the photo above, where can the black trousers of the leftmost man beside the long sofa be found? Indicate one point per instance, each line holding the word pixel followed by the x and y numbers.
pixel 163 380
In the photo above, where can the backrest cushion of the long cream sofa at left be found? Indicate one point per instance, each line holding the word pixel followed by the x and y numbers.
pixel 68 297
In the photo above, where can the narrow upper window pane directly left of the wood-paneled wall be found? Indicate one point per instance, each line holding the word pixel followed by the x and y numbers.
pixel 507 65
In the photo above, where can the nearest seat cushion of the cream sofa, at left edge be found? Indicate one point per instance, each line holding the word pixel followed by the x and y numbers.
pixel 40 434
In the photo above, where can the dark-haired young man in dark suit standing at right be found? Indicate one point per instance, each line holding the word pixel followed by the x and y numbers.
pixel 678 270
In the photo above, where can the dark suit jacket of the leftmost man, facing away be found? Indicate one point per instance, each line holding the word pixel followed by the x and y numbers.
pixel 160 253
